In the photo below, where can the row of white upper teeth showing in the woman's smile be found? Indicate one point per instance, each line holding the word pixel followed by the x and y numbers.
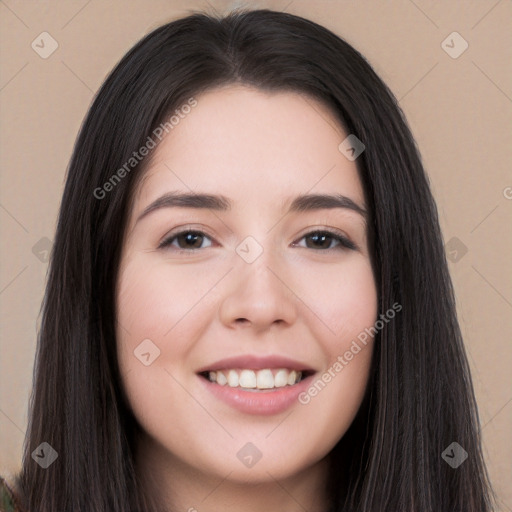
pixel 250 379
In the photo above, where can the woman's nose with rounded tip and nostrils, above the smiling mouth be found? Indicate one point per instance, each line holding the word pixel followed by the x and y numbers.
pixel 258 295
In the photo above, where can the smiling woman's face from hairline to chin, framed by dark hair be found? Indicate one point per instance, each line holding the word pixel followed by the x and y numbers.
pixel 237 313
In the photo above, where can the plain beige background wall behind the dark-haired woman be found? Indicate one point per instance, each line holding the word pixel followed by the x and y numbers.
pixel 459 110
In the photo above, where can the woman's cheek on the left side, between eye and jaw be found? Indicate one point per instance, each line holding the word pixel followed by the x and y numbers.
pixel 159 311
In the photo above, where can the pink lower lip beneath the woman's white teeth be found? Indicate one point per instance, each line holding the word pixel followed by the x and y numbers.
pixel 264 403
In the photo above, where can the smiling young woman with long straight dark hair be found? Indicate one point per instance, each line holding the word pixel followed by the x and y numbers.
pixel 202 347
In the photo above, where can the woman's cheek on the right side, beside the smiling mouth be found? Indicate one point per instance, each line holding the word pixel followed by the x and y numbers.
pixel 346 303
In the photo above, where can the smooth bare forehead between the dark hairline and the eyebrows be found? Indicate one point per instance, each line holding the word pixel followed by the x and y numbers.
pixel 252 146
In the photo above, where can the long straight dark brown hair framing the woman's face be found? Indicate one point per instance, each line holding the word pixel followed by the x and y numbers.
pixel 420 397
